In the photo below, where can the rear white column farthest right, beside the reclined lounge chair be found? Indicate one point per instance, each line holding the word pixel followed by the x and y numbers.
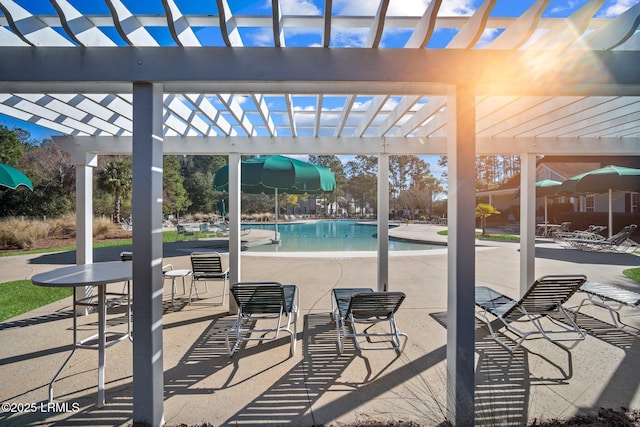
pixel 527 220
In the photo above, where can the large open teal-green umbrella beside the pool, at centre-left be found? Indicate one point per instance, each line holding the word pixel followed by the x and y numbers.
pixel 271 174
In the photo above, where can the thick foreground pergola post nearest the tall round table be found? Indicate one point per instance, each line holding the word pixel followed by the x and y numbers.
pixel 148 375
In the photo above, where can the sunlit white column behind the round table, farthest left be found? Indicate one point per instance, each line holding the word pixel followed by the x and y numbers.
pixel 85 162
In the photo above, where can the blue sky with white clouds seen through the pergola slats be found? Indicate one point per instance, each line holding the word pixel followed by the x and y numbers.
pixel 341 37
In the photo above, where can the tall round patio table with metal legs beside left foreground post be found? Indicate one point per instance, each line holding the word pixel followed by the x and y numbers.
pixel 98 274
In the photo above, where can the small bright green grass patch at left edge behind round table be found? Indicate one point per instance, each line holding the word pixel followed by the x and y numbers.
pixel 21 296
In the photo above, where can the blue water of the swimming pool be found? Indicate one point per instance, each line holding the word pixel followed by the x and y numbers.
pixel 320 236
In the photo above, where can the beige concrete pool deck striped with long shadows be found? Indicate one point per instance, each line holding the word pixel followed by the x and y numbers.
pixel 262 385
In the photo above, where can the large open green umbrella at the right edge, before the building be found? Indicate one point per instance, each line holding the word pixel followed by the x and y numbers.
pixel 603 180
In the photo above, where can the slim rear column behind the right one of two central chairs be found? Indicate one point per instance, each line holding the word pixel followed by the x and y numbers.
pixel 383 222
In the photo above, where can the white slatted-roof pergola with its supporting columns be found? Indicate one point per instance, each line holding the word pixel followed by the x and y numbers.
pixel 175 83
